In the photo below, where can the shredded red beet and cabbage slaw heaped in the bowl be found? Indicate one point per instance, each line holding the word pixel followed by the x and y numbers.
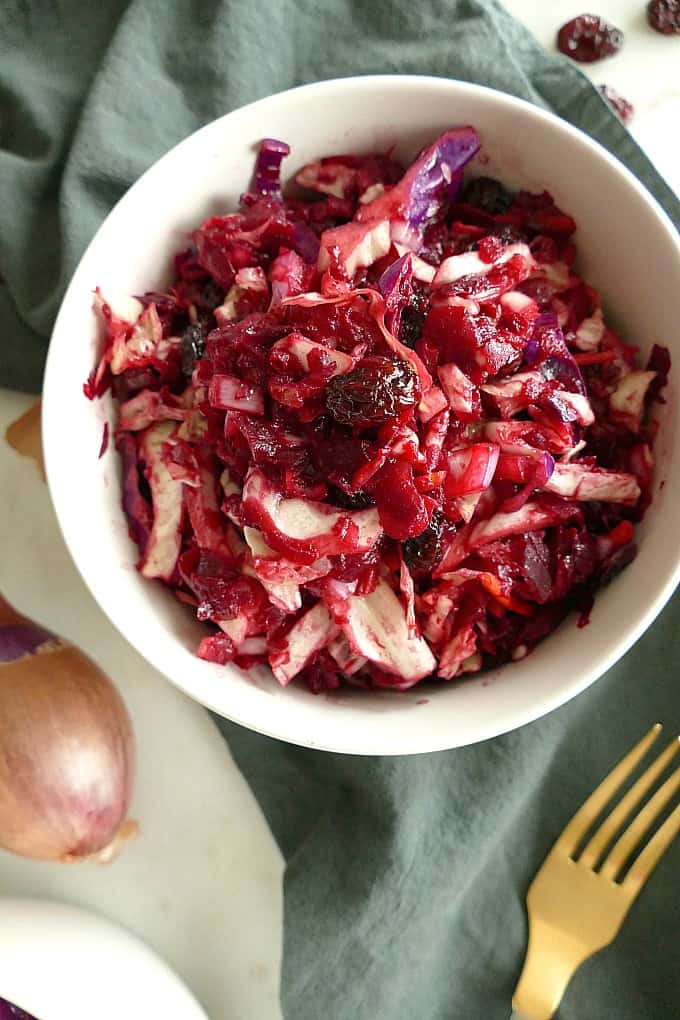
pixel 382 433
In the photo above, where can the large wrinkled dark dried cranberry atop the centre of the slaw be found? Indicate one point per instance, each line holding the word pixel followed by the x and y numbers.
pixel 377 391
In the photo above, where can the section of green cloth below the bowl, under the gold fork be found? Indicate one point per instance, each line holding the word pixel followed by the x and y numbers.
pixel 406 878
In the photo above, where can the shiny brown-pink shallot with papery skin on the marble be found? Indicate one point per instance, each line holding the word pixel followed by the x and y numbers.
pixel 67 748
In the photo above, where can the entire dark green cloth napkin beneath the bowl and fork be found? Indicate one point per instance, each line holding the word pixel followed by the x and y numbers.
pixel 406 877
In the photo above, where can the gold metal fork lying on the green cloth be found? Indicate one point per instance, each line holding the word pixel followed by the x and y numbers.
pixel 574 910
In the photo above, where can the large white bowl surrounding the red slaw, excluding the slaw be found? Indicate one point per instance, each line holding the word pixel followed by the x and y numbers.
pixel 629 249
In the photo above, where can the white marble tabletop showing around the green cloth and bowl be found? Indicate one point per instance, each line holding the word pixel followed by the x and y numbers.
pixel 202 884
